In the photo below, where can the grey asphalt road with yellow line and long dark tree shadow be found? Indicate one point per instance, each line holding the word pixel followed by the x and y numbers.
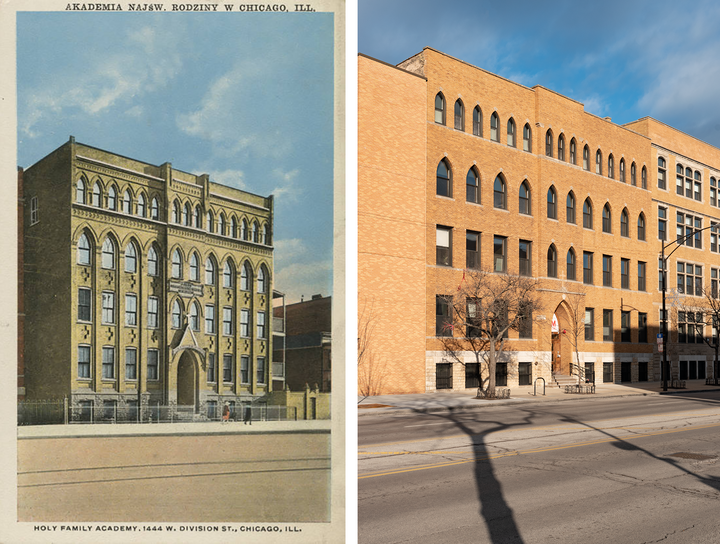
pixel 623 470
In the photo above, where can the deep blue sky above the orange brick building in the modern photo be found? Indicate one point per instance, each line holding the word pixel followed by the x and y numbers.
pixel 624 59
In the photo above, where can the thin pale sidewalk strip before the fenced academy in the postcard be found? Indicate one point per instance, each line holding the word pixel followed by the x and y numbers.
pixel 173 429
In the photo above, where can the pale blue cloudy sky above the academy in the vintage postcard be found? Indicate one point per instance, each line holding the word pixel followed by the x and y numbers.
pixel 246 98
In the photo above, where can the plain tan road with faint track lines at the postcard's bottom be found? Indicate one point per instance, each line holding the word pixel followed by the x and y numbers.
pixel 213 478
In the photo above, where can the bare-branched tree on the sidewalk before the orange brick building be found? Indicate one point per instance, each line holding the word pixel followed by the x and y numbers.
pixel 475 320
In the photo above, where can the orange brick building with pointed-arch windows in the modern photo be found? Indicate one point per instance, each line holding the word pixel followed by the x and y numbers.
pixel 460 168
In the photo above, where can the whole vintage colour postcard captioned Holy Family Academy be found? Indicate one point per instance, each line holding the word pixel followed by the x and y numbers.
pixel 177 332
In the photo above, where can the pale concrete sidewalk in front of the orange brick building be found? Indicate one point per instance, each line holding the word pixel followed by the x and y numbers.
pixel 461 400
